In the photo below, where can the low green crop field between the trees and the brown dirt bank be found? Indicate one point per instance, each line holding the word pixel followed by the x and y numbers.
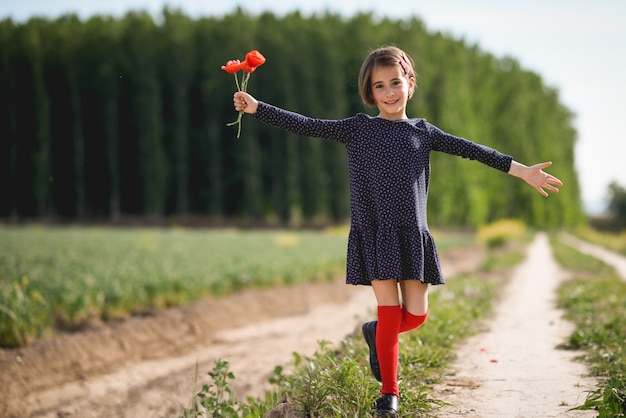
pixel 59 277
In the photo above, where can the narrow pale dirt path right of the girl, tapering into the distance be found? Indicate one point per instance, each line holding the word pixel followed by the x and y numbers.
pixel 515 369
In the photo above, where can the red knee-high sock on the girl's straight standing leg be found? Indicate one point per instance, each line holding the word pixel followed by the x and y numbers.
pixel 389 318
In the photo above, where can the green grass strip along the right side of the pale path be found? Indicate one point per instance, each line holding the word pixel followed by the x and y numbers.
pixel 595 301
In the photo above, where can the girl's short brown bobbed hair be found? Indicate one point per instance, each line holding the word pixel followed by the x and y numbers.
pixel 384 56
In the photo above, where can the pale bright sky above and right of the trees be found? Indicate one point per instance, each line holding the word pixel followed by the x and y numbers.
pixel 578 47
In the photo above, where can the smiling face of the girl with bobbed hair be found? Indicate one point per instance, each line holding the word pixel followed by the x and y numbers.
pixel 391 90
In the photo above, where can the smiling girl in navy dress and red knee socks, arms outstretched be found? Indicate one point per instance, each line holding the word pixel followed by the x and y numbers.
pixel 390 246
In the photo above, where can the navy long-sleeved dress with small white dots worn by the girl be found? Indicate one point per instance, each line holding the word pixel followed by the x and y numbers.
pixel 389 164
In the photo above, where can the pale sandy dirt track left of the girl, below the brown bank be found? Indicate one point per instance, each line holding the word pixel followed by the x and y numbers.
pixel 160 387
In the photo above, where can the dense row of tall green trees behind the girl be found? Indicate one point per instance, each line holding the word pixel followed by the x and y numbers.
pixel 111 117
